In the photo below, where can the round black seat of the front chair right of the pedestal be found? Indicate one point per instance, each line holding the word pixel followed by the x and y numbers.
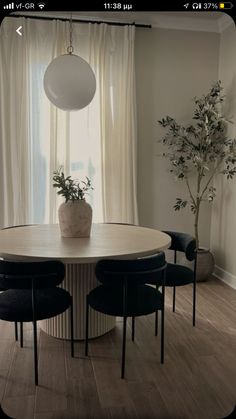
pixel 141 300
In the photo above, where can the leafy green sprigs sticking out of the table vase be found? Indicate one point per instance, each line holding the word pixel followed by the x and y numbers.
pixel 71 189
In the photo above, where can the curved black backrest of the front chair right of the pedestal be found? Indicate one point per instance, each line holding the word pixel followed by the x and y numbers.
pixel 110 272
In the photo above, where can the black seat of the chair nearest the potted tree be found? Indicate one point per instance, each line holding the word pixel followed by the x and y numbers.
pixel 177 275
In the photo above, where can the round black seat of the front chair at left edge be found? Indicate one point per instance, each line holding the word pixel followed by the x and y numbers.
pixel 16 305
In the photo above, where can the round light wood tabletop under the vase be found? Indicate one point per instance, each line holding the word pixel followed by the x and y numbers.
pixel 106 241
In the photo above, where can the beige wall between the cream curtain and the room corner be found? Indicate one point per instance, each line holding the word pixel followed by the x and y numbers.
pixel 172 66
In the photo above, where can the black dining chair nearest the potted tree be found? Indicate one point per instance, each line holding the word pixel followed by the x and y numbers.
pixel 177 274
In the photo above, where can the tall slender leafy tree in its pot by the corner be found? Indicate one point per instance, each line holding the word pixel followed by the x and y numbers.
pixel 197 153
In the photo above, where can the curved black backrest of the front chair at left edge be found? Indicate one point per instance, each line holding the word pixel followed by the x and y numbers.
pixel 19 275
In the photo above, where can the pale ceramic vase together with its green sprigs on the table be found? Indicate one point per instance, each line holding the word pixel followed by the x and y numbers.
pixel 75 214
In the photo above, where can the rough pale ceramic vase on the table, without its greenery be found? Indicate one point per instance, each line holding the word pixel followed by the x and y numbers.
pixel 75 218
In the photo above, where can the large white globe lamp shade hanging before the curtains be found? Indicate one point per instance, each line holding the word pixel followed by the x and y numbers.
pixel 69 82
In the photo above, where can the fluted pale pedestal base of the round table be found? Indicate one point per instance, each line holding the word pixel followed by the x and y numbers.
pixel 79 280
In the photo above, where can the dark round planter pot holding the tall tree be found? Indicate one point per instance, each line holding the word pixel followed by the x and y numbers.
pixel 205 264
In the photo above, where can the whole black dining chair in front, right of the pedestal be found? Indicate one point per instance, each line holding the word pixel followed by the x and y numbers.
pixel 123 292
